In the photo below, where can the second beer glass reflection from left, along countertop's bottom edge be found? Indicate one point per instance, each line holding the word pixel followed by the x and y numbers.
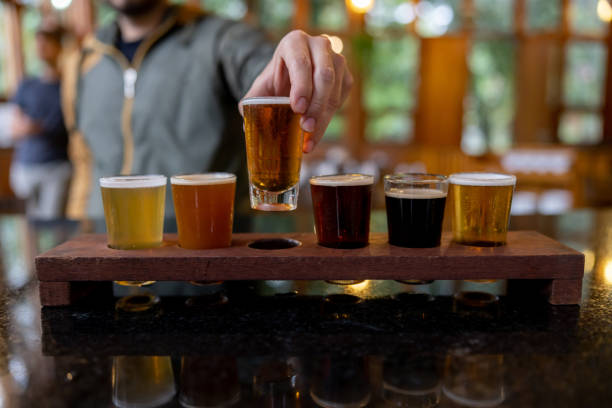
pixel 210 381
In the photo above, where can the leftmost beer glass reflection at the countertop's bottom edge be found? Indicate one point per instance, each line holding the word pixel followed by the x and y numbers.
pixel 142 381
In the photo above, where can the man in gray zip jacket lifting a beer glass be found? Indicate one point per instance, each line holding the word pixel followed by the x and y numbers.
pixel 157 92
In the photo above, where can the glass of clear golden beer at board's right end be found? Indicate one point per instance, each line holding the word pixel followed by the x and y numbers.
pixel 481 207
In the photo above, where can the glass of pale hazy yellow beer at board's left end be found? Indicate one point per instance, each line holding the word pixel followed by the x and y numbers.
pixel 134 210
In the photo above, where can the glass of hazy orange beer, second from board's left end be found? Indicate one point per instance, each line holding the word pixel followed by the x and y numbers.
pixel 204 207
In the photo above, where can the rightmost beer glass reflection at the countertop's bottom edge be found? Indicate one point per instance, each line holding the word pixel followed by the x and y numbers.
pixel 474 380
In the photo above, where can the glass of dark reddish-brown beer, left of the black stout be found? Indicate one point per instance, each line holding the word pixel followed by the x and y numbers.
pixel 341 205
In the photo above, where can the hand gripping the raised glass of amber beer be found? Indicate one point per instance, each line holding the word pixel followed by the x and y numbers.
pixel 315 78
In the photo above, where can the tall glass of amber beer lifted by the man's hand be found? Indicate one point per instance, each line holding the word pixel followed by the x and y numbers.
pixel 274 141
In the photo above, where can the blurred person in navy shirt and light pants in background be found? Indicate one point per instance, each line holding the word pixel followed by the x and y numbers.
pixel 40 172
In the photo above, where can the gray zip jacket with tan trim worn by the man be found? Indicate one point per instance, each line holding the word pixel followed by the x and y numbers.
pixel 173 110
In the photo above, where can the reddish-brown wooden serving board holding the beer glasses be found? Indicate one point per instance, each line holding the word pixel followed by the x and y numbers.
pixel 68 270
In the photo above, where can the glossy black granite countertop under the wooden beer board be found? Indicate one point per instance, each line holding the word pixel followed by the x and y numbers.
pixel 308 344
